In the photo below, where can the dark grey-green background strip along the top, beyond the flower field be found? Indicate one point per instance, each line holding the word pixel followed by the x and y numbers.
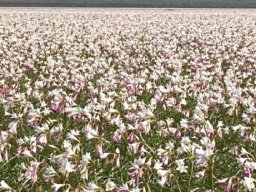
pixel 134 3
